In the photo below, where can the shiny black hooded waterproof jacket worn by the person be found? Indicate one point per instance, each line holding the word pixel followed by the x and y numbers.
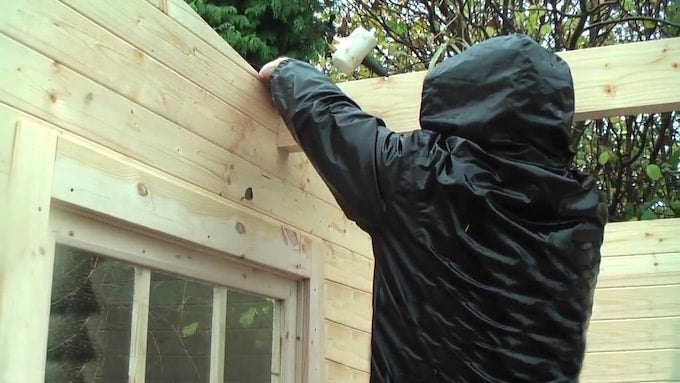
pixel 486 245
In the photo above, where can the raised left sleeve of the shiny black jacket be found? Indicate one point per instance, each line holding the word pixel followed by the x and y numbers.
pixel 353 152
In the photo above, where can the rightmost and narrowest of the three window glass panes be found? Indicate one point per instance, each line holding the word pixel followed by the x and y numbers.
pixel 248 350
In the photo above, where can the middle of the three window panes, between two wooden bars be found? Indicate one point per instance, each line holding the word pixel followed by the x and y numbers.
pixel 180 319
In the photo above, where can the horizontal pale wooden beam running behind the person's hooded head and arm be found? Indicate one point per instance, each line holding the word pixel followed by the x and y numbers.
pixel 641 77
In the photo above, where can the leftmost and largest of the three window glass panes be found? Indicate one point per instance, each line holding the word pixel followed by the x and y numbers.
pixel 90 318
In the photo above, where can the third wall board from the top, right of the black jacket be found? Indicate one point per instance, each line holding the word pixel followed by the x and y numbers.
pixel 636 302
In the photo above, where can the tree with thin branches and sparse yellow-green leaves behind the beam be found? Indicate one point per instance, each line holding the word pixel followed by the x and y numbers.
pixel 636 158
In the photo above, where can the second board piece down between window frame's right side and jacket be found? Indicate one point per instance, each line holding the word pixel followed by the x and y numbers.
pixel 348 306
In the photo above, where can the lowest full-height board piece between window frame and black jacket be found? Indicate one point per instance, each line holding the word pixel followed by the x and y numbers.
pixel 348 346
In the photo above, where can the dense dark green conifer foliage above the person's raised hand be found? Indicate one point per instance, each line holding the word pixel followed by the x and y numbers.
pixel 261 30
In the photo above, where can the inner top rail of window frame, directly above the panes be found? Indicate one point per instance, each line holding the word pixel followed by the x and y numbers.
pixel 123 242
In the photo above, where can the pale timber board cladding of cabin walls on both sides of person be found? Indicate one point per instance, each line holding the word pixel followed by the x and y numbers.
pixel 148 84
